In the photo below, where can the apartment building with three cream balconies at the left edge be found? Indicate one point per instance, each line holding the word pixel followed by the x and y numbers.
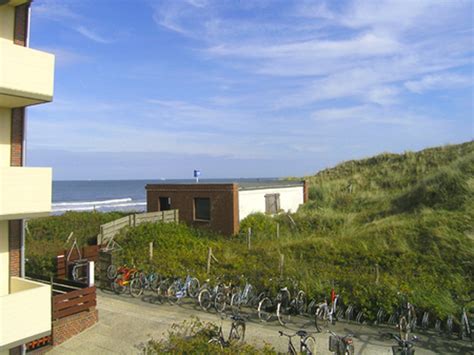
pixel 26 78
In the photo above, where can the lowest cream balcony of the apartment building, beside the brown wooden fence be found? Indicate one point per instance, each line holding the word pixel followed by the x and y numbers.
pixel 25 313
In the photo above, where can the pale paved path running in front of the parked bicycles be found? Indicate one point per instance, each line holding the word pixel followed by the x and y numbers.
pixel 125 324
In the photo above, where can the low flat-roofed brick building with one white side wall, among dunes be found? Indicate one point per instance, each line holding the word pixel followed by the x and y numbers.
pixel 221 206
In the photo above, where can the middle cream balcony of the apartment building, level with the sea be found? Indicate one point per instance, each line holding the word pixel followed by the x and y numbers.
pixel 25 192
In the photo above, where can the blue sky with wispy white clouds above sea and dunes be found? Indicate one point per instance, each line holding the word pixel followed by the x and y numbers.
pixel 264 88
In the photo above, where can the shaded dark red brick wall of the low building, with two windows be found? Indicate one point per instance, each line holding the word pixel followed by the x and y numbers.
pixel 223 198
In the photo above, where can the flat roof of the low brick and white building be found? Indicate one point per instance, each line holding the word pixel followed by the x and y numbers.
pixel 248 184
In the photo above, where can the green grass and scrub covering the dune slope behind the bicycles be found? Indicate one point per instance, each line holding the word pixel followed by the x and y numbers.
pixel 409 216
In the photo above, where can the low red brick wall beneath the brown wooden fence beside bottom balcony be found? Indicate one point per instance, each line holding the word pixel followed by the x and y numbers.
pixel 67 327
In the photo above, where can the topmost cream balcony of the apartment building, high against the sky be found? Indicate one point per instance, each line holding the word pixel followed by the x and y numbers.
pixel 26 75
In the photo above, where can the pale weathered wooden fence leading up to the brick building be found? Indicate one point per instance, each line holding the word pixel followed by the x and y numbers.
pixel 109 230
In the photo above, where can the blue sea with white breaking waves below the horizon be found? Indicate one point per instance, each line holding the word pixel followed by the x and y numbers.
pixel 113 195
